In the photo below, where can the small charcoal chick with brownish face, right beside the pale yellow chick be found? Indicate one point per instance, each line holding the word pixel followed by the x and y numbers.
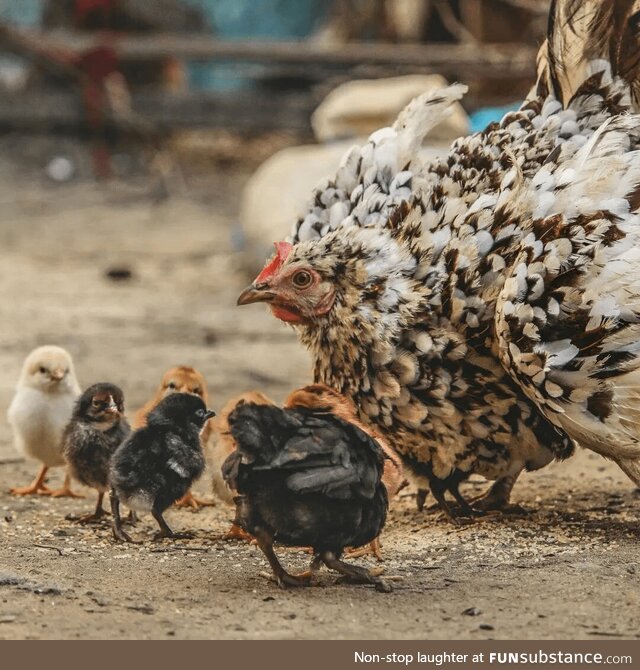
pixel 95 430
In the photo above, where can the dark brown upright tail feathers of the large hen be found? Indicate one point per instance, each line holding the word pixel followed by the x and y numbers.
pixel 580 32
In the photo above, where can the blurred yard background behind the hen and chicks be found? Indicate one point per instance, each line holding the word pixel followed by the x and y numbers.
pixel 151 152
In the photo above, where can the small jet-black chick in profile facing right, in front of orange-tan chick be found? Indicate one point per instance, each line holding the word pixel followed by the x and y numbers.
pixel 158 463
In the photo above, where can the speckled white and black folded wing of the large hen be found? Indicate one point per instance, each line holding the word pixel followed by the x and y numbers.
pixel 567 325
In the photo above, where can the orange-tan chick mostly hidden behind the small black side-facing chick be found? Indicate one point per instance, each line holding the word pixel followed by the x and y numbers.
pixel 179 379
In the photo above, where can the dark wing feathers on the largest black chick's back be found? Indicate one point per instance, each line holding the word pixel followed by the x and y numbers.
pixel 316 453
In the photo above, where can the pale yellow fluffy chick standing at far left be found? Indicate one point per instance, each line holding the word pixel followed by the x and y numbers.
pixel 39 412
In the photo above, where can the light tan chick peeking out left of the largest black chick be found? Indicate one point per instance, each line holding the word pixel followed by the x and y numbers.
pixel 220 445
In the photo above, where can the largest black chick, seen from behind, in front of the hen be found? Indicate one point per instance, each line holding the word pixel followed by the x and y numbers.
pixel 306 478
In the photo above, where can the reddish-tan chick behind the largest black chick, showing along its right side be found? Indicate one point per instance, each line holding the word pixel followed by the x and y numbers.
pixel 321 397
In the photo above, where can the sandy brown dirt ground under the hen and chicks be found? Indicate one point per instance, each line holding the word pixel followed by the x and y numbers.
pixel 570 568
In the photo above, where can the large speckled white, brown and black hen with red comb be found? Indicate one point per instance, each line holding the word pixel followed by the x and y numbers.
pixel 483 311
